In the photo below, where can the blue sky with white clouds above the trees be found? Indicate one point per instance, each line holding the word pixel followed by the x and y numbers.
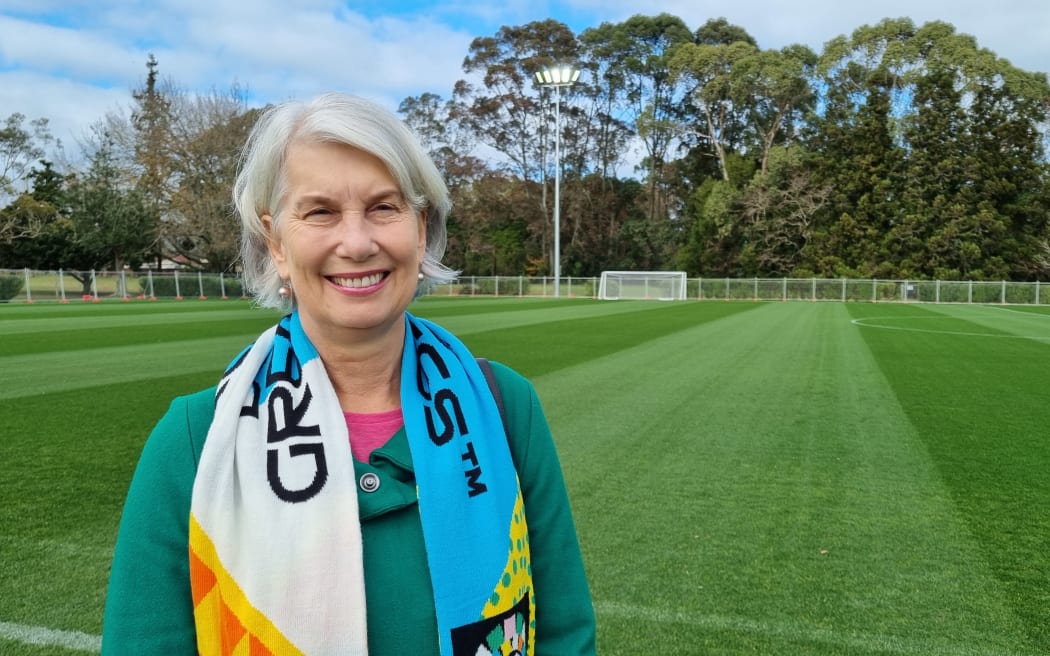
pixel 74 61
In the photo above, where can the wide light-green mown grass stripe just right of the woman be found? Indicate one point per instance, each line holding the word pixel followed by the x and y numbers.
pixel 761 467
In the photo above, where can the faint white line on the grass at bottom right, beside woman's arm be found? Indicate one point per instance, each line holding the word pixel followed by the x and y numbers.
pixel 852 641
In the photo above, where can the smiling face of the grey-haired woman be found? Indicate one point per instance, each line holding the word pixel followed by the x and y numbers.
pixel 348 241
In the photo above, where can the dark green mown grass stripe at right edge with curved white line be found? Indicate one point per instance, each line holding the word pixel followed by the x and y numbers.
pixel 980 407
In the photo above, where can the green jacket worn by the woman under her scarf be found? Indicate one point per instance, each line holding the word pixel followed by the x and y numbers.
pixel 149 606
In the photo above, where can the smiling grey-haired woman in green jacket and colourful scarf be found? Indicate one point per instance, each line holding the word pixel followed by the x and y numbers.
pixel 352 485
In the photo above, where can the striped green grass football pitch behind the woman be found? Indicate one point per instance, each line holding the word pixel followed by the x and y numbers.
pixel 747 478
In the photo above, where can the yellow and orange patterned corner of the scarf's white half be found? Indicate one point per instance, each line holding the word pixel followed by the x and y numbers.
pixel 227 624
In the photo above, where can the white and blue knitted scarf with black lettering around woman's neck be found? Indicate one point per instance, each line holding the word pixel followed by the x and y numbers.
pixel 277 565
